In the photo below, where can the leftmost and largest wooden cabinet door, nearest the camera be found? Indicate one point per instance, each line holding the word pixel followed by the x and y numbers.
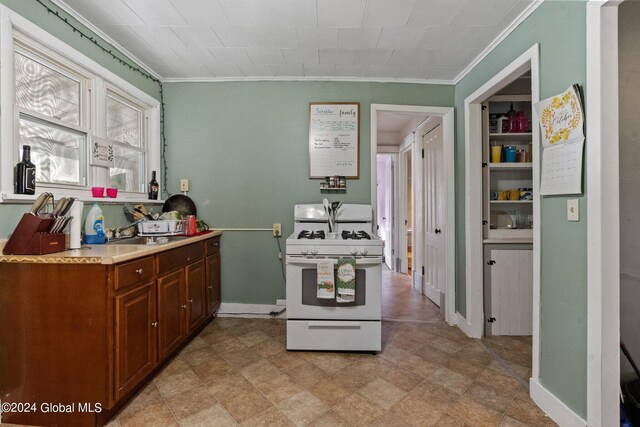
pixel 135 337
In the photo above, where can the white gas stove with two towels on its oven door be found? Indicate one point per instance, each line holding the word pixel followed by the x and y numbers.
pixel 315 323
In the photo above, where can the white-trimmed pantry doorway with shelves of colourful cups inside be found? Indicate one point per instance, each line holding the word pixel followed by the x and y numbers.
pixel 503 229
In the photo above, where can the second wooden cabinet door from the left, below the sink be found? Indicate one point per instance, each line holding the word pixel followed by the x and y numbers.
pixel 172 307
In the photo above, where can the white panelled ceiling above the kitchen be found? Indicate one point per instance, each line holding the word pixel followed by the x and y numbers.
pixel 394 40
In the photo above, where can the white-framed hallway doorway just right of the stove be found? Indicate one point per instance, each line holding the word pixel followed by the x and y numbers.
pixel 398 136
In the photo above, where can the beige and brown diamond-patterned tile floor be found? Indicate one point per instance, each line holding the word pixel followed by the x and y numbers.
pixel 238 372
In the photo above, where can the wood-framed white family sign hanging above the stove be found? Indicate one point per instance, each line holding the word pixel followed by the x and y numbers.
pixel 334 139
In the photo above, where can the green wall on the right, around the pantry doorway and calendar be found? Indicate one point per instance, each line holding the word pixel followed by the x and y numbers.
pixel 560 29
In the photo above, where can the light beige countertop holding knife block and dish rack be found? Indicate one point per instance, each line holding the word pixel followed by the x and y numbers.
pixel 104 254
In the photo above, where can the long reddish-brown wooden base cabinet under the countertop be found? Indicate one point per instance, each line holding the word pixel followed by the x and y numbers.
pixel 92 334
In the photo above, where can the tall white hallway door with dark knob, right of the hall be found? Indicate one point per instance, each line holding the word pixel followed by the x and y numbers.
pixel 434 281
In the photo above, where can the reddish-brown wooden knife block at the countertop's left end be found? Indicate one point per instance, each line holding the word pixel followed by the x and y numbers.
pixel 32 237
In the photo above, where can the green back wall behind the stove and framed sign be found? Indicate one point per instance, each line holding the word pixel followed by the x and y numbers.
pixel 244 148
